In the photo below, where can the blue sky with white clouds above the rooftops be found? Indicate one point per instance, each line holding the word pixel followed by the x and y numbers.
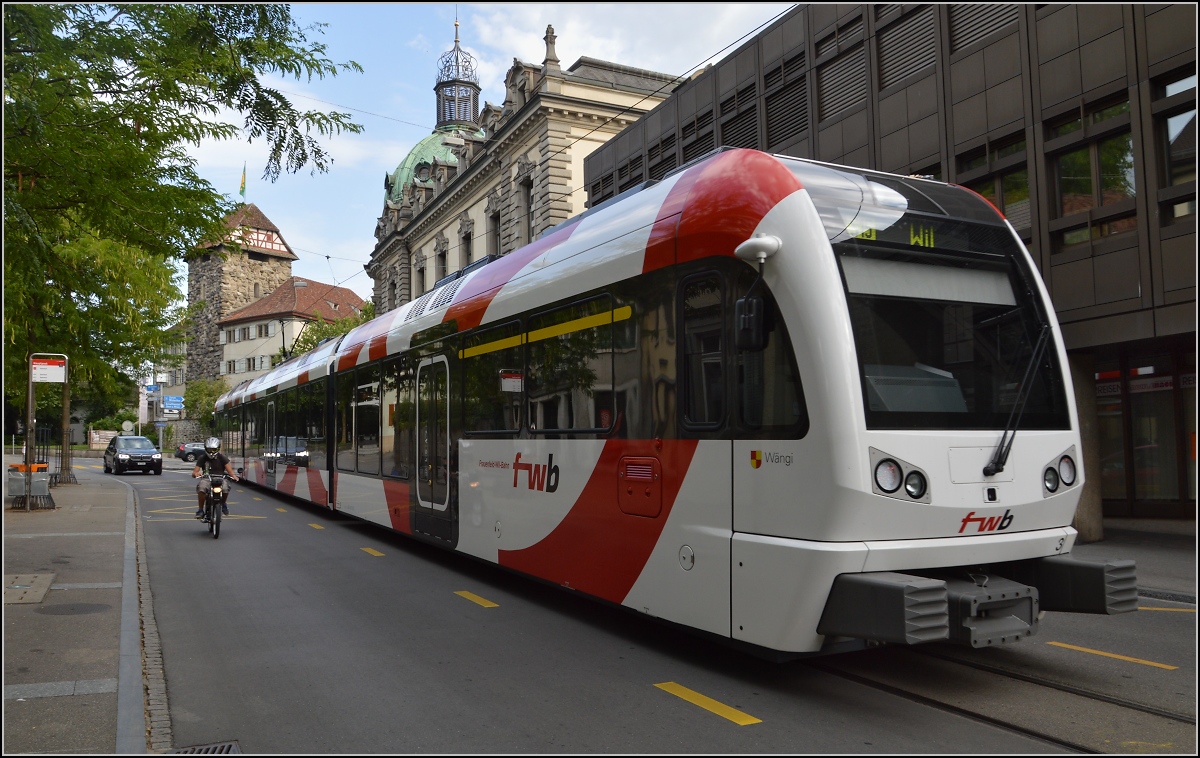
pixel 329 219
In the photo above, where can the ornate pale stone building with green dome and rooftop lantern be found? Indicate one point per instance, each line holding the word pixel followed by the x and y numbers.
pixel 490 181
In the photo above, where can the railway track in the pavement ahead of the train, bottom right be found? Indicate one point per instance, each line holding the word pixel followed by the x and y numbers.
pixel 1063 715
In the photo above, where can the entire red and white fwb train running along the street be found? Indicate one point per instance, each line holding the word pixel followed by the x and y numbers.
pixel 794 405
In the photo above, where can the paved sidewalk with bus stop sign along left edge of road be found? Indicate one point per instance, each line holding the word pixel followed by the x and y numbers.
pixel 74 629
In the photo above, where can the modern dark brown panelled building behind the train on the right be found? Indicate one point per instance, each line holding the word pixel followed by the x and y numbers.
pixel 1078 122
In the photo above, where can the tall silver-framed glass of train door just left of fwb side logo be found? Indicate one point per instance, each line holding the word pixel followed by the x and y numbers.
pixel 434 435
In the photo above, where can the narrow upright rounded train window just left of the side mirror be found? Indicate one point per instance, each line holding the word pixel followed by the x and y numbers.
pixel 703 369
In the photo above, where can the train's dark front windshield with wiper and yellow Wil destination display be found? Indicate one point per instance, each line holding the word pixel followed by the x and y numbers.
pixel 944 306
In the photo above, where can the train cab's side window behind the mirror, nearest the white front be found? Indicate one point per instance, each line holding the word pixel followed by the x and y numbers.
pixel 771 400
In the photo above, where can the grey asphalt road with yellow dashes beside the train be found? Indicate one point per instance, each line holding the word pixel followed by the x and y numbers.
pixel 302 631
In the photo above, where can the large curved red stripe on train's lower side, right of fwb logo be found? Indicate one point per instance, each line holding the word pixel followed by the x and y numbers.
pixel 568 556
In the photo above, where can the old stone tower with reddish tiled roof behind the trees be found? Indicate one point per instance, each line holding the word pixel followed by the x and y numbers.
pixel 224 280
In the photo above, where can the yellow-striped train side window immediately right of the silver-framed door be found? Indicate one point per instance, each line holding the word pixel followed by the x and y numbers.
pixel 493 380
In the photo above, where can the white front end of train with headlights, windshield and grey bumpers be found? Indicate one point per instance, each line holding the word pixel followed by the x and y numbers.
pixel 933 496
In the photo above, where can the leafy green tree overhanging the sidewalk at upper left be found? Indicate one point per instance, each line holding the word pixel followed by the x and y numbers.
pixel 100 104
